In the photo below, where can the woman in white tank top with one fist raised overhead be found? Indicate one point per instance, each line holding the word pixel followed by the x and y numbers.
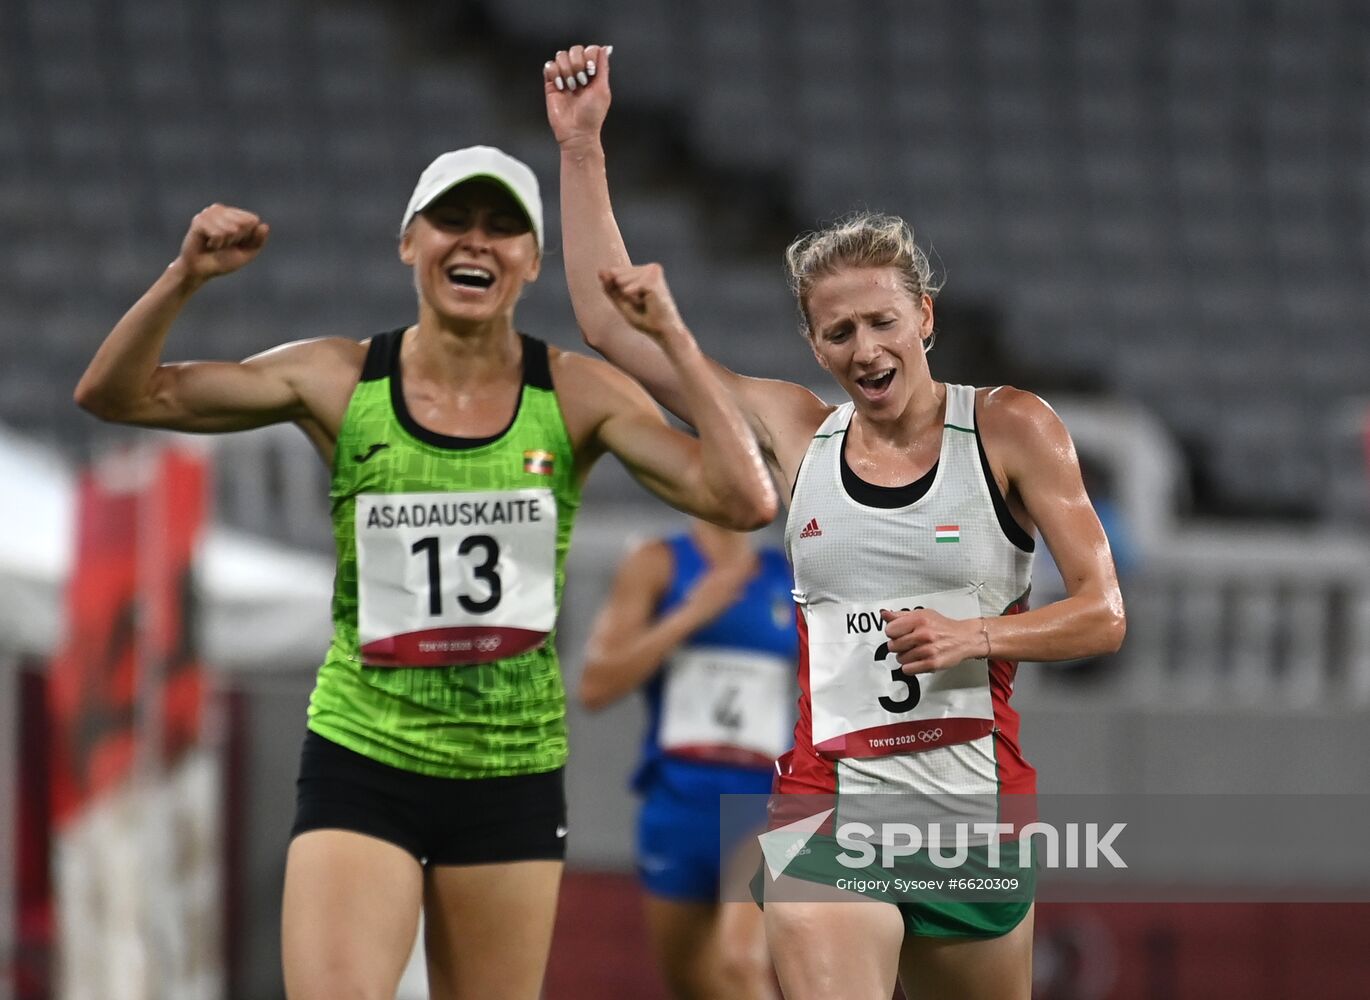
pixel 982 469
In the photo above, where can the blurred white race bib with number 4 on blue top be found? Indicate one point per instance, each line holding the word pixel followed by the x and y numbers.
pixel 727 706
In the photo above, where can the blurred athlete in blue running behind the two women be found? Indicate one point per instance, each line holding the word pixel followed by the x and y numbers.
pixel 703 624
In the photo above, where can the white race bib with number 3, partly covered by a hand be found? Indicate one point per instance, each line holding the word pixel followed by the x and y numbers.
pixel 865 706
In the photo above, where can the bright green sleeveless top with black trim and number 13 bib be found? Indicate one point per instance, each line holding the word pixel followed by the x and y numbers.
pixel 450 568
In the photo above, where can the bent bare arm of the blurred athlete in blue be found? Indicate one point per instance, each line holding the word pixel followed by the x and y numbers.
pixel 630 642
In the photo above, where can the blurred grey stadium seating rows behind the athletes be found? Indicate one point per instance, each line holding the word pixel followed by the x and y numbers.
pixel 1099 176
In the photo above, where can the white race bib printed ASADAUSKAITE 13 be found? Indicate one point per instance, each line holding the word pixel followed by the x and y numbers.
pixel 449 579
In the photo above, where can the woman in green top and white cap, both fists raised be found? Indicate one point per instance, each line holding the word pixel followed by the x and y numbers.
pixel 431 777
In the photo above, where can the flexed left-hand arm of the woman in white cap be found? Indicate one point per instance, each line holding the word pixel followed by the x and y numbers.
pixel 128 383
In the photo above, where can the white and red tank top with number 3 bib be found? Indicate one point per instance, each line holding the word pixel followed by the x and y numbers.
pixel 946 543
